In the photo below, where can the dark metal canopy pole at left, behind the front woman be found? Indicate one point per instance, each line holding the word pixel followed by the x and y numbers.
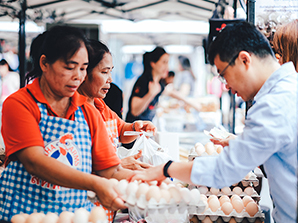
pixel 22 43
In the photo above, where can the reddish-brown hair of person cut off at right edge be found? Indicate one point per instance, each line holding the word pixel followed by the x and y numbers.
pixel 285 43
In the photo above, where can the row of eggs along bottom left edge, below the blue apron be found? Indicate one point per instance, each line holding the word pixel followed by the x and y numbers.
pixel 81 215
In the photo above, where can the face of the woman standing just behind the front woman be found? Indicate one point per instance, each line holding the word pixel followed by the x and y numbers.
pixel 98 82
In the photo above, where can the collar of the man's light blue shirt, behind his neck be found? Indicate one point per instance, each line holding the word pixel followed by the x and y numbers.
pixel 285 70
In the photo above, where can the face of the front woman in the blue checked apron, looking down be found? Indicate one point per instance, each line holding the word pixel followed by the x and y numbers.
pixel 62 78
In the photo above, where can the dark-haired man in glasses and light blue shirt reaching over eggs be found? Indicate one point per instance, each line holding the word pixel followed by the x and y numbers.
pixel 246 63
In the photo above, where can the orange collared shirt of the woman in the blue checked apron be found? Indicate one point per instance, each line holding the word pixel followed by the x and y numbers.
pixel 21 116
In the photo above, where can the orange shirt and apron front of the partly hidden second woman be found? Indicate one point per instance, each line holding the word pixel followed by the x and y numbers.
pixel 113 123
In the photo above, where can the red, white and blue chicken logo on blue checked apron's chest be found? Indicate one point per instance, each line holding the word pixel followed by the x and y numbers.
pixel 64 150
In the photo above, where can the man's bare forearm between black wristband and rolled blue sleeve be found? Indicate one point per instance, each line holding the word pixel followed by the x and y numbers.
pixel 181 171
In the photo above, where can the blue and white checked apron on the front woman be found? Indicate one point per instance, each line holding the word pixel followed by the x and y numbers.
pixel 65 140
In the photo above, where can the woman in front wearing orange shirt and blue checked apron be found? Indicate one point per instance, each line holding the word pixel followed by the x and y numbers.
pixel 53 138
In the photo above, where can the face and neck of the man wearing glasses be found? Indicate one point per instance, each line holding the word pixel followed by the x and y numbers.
pixel 237 77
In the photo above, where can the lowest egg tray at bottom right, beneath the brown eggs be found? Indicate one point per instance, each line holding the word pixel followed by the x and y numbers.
pixel 226 218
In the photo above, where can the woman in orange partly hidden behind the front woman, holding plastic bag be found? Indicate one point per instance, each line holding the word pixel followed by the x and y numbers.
pixel 95 87
